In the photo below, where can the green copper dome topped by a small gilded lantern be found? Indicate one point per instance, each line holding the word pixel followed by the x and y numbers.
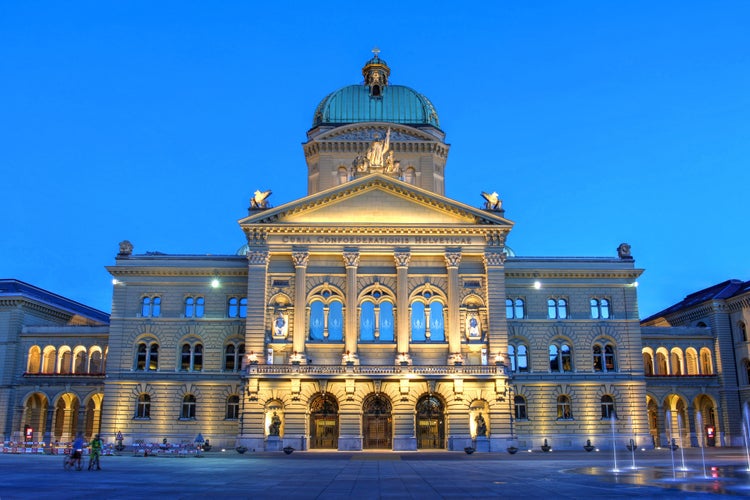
pixel 376 101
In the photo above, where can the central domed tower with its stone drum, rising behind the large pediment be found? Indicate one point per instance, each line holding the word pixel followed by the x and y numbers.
pixel 376 127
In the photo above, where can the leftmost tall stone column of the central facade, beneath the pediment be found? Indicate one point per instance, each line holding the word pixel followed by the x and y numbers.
pixel 257 266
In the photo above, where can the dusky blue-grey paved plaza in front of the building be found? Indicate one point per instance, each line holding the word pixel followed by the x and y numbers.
pixel 386 475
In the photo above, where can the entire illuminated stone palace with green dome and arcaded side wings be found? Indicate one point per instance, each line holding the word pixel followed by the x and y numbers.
pixel 375 313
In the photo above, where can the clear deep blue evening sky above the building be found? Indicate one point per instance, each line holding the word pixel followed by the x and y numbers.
pixel 597 122
